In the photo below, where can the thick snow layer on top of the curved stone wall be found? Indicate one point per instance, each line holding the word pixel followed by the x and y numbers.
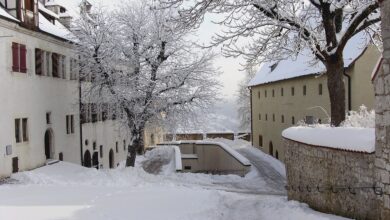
pixel 343 138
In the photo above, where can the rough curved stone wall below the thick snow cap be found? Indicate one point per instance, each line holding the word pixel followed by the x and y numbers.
pixel 322 176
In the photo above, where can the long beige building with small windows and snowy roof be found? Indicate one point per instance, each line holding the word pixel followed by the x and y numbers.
pixel 293 90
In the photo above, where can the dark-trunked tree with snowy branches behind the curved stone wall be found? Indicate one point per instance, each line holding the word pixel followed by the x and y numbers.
pixel 272 30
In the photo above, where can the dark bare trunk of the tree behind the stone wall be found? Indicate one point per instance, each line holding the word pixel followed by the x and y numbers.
pixel 336 87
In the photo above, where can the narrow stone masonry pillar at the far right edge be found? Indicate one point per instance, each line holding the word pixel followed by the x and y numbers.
pixel 382 108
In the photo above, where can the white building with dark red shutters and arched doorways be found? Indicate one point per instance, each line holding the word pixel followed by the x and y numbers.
pixel 40 96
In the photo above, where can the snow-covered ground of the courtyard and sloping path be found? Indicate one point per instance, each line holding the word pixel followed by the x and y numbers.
pixel 68 191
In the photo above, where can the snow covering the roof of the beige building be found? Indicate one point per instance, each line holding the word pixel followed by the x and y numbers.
pixel 302 65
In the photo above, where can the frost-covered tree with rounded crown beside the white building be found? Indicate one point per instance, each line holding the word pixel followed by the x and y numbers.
pixel 140 63
